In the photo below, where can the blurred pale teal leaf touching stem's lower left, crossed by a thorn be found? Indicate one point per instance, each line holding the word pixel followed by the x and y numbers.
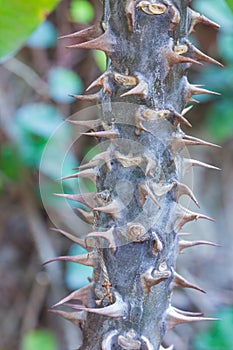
pixel 76 275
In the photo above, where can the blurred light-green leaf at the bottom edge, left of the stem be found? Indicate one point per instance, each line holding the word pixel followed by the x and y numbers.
pixel 38 340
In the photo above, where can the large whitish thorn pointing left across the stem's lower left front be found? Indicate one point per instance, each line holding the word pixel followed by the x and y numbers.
pixel 118 309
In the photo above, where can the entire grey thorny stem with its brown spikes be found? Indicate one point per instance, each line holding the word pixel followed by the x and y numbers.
pixel 138 175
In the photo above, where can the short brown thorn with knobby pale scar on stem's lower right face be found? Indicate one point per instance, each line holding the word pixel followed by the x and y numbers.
pixel 152 277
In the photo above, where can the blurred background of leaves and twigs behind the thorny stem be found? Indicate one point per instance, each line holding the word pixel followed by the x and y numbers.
pixel 34 102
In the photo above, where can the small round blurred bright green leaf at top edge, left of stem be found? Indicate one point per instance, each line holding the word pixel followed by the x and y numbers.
pixel 82 11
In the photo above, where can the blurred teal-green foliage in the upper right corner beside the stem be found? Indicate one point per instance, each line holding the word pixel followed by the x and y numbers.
pixel 219 117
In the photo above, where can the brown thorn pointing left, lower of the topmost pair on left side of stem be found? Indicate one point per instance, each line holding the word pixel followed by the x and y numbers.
pixel 104 42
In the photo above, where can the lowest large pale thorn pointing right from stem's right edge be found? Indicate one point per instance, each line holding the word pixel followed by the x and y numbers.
pixel 175 317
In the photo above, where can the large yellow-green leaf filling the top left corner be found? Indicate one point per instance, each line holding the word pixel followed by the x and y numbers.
pixel 18 19
